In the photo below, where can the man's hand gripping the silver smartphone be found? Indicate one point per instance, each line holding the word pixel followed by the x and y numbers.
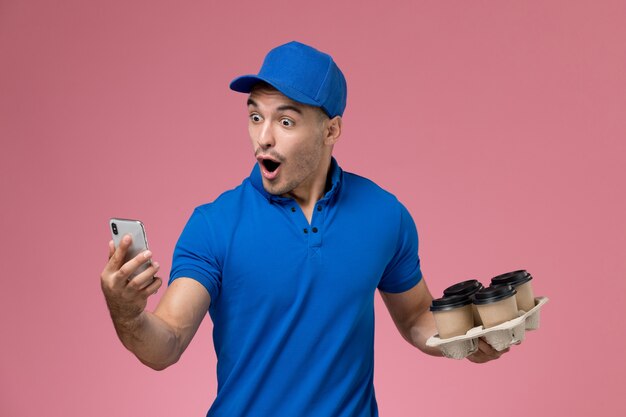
pixel 127 298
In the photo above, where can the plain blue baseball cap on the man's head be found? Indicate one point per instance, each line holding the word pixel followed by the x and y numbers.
pixel 303 74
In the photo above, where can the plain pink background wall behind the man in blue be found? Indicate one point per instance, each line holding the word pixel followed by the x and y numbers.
pixel 501 125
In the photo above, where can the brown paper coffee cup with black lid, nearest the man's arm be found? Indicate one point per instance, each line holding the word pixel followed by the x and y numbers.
pixel 453 315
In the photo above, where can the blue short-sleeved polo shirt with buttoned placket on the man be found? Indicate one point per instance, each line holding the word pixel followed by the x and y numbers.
pixel 292 303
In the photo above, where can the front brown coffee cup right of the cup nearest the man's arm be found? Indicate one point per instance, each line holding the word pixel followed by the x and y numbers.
pixel 496 305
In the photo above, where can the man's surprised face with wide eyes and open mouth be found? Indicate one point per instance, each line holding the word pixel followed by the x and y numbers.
pixel 288 141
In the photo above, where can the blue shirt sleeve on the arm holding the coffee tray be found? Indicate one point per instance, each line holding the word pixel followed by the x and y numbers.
pixel 403 271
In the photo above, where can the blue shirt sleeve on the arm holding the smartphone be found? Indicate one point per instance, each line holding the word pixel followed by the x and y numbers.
pixel 195 254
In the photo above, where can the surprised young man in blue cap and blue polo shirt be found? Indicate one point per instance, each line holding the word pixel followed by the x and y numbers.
pixel 287 263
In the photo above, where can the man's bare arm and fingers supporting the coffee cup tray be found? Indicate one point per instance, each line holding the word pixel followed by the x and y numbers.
pixel 410 311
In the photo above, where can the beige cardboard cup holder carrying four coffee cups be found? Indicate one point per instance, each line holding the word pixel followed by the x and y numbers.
pixel 499 337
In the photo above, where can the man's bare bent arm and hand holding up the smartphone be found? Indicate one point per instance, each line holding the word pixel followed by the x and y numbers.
pixel 157 339
